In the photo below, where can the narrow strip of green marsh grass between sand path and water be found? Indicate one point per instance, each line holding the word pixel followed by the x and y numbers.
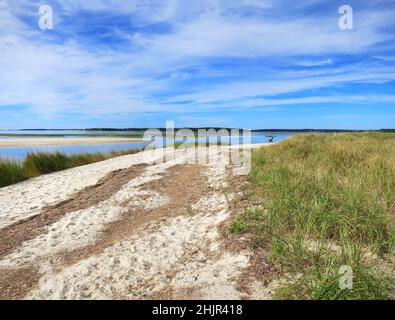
pixel 39 163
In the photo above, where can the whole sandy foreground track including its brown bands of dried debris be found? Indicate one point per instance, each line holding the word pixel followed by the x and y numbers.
pixel 125 228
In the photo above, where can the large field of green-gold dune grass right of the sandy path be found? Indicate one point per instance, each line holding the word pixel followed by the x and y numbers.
pixel 327 201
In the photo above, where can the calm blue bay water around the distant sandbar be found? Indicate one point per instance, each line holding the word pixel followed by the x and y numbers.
pixel 20 152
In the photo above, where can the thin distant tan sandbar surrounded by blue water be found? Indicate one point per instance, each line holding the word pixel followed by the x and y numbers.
pixel 61 141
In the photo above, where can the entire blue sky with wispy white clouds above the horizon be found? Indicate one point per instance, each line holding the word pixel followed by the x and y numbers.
pixel 246 63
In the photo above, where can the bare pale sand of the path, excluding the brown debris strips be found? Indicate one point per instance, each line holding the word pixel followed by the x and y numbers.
pixel 182 255
